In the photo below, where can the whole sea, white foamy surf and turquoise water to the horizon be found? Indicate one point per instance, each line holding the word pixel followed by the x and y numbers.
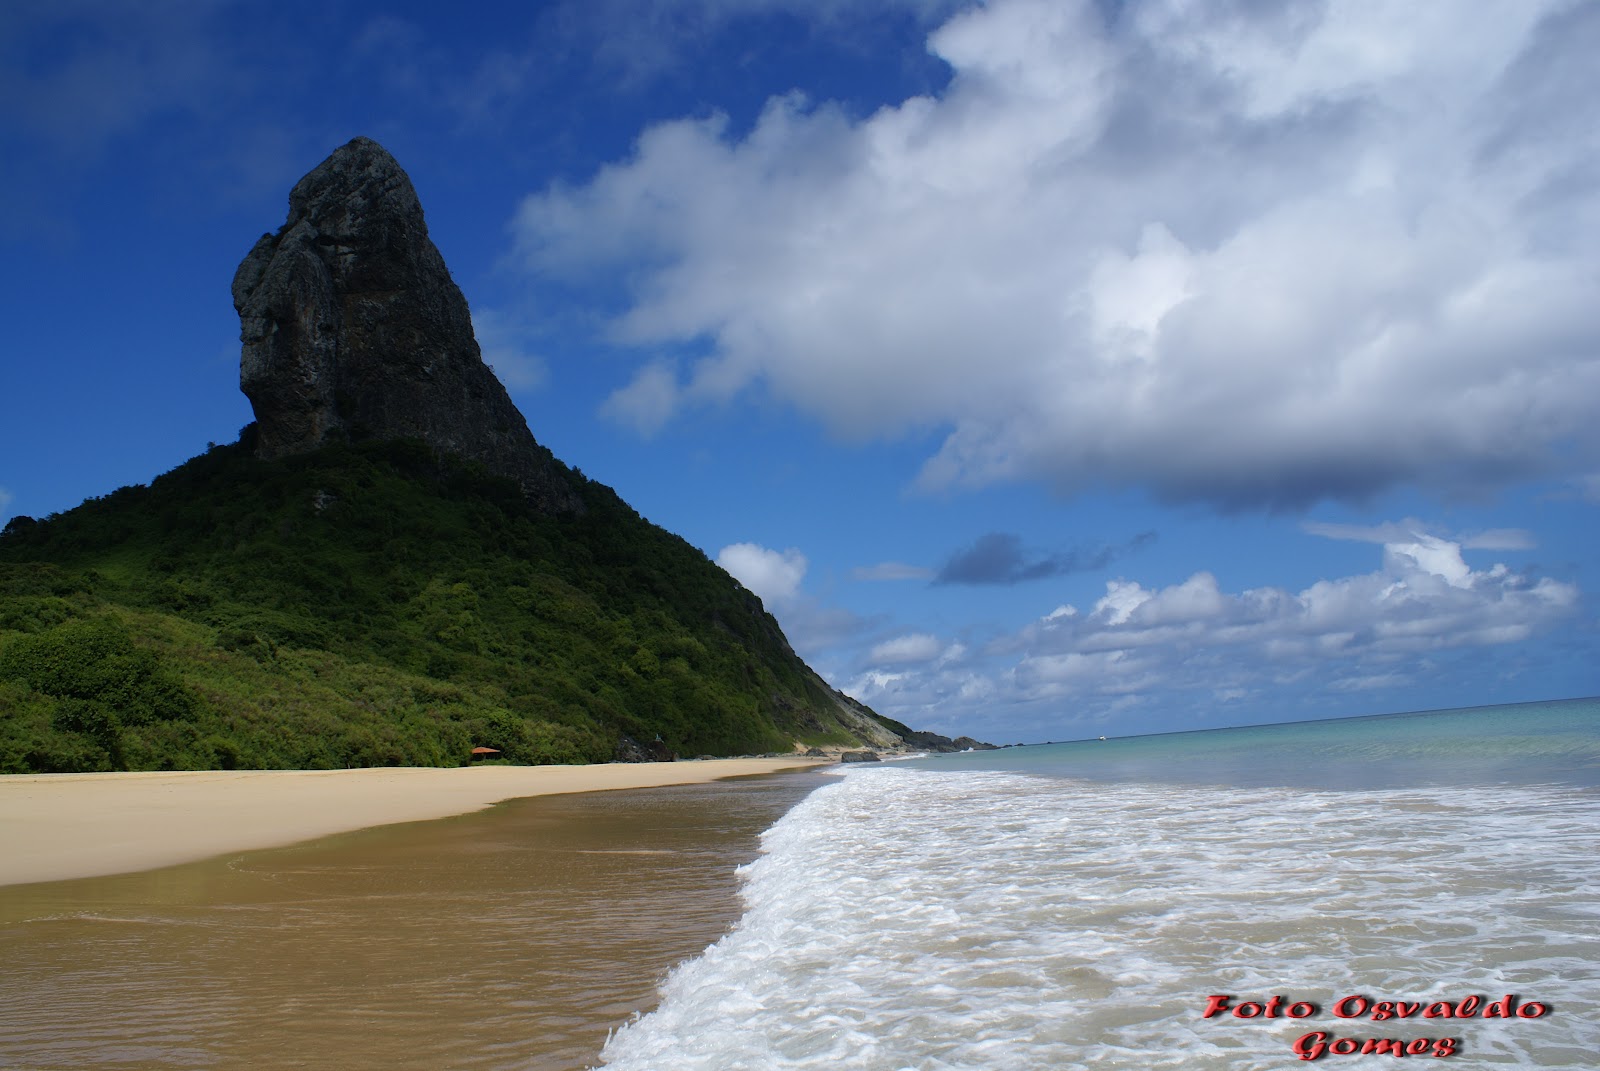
pixel 1343 892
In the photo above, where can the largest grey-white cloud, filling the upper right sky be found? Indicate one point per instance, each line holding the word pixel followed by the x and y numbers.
pixel 1231 254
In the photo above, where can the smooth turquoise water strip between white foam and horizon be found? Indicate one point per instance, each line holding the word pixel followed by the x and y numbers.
pixel 1529 744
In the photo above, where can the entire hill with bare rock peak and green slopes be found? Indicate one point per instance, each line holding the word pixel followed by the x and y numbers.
pixel 386 569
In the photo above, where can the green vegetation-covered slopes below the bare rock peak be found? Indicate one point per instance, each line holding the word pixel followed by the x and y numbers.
pixel 377 604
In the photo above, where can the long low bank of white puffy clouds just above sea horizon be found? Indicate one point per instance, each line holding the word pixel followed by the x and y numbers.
pixel 1359 633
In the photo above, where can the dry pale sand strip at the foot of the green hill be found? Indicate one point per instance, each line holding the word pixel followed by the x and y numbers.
pixel 63 827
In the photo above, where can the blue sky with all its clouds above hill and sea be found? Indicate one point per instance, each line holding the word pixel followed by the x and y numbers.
pixel 1050 369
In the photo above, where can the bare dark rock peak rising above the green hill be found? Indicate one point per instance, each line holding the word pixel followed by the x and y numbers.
pixel 353 329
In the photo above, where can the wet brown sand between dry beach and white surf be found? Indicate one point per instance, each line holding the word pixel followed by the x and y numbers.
pixel 514 937
